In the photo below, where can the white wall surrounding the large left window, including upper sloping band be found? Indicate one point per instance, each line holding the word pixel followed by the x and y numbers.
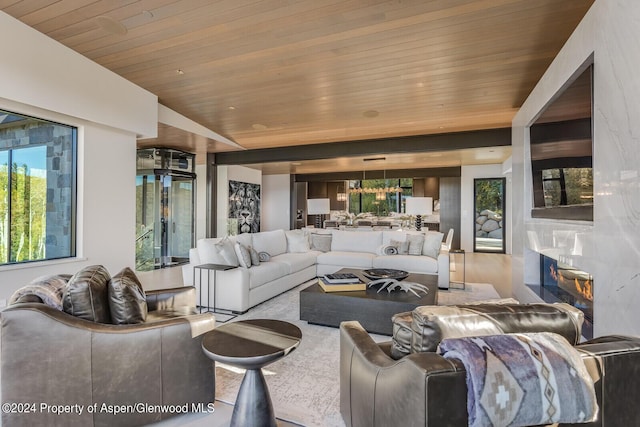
pixel 44 79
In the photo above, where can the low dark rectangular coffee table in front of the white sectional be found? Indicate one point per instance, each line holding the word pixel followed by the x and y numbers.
pixel 372 309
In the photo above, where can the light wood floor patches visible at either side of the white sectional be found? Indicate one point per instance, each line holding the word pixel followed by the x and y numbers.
pixel 479 268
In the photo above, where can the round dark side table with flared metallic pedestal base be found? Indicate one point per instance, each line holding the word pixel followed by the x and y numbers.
pixel 252 344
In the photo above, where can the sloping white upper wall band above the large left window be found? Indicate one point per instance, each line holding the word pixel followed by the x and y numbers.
pixel 38 71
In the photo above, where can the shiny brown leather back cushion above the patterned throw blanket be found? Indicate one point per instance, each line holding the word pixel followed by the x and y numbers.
pixel 432 324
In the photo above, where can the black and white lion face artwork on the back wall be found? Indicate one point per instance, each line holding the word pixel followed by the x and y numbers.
pixel 244 206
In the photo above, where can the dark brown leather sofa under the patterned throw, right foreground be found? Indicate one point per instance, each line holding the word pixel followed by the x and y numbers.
pixel 425 389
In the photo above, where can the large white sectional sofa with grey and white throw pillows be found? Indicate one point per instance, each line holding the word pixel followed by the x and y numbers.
pixel 296 256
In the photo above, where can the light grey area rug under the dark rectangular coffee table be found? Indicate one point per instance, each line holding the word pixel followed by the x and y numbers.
pixel 305 385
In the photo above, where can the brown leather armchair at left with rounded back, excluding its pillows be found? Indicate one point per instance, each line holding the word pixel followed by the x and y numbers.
pixel 52 358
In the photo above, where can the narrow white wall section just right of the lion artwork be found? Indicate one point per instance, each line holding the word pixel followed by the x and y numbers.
pixel 276 202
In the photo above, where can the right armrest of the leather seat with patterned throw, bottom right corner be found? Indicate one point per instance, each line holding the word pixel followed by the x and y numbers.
pixel 614 364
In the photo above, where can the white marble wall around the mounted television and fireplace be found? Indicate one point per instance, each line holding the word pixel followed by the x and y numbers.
pixel 610 32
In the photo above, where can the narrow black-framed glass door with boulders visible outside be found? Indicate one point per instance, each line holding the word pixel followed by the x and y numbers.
pixel 489 208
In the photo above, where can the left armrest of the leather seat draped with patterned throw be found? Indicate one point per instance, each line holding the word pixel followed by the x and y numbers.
pixel 420 389
